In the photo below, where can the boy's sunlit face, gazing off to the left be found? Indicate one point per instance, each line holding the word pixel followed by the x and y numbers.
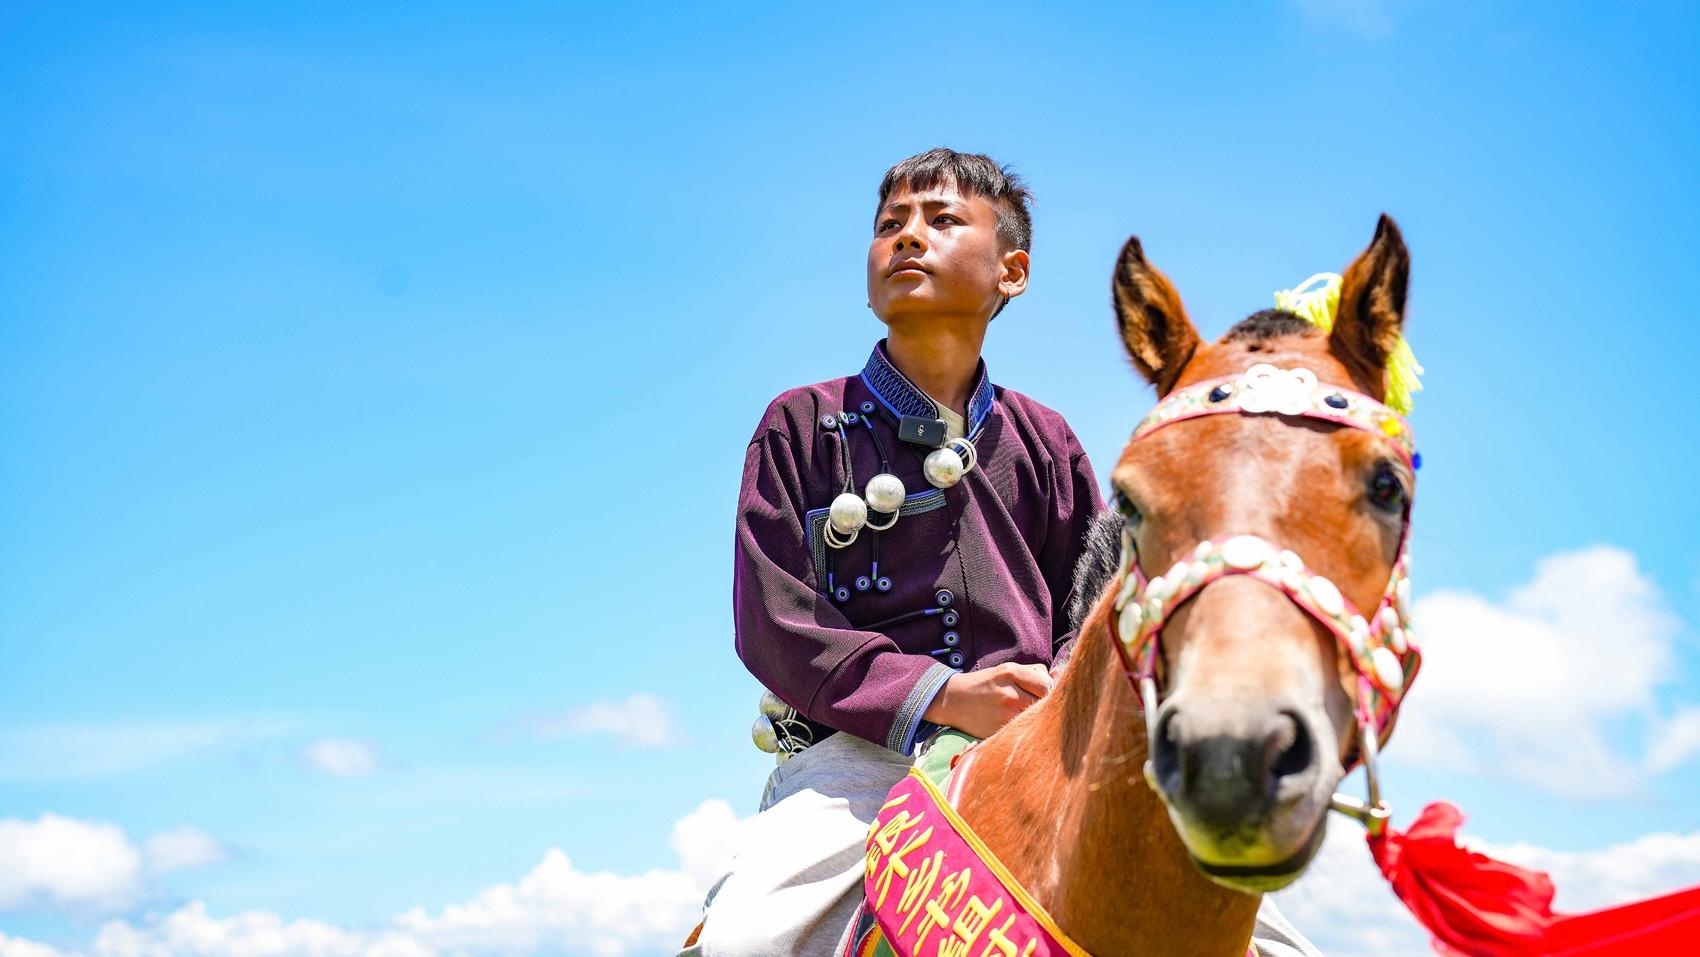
pixel 936 254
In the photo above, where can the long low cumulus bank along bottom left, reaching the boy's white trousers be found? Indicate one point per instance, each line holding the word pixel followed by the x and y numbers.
pixel 557 909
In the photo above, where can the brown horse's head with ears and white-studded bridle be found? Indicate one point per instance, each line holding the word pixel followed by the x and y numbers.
pixel 1249 545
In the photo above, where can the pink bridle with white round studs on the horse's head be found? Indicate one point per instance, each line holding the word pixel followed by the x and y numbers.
pixel 1380 647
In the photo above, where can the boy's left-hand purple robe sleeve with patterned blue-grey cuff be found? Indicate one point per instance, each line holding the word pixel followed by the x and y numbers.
pixel 793 638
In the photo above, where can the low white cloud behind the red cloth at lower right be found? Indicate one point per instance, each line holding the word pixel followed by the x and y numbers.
pixel 1346 907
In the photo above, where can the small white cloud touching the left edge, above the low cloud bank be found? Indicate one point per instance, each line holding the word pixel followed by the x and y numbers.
pixel 89 868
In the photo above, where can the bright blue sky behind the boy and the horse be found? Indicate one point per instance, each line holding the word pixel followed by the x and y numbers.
pixel 375 387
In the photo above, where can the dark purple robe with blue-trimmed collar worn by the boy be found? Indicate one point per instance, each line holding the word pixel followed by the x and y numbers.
pixel 863 638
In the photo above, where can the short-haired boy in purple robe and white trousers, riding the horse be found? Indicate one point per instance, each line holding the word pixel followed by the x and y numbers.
pixel 905 553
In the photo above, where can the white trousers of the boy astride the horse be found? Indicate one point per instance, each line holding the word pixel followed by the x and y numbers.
pixel 796 878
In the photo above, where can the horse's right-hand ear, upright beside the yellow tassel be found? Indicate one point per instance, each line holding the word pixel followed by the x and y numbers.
pixel 1371 314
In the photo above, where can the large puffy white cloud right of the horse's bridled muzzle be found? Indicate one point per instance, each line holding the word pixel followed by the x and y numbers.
pixel 1531 686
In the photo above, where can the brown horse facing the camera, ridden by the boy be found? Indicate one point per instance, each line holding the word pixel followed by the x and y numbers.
pixel 1257 720
